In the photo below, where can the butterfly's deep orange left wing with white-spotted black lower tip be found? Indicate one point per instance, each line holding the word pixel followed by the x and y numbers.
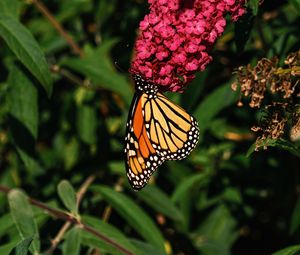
pixel 141 158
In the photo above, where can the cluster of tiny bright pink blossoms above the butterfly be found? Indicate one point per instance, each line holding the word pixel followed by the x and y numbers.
pixel 176 37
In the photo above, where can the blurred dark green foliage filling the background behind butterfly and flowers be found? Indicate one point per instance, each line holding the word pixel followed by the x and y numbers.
pixel 70 124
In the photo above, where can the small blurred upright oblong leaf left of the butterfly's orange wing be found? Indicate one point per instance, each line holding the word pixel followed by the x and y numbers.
pixel 87 123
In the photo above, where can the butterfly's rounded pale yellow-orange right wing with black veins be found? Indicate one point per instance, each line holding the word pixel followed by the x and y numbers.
pixel 173 133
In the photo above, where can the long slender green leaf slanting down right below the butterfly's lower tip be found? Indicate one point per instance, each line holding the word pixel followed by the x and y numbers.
pixel 133 215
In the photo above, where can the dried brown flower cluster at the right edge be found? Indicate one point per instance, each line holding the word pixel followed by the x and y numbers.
pixel 267 77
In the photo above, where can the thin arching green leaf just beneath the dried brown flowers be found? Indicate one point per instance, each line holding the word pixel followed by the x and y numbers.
pixel 280 143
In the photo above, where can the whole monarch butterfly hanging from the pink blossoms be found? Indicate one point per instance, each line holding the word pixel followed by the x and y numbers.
pixel 157 130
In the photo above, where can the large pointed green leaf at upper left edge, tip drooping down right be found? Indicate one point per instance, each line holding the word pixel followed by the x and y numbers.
pixel 26 49
